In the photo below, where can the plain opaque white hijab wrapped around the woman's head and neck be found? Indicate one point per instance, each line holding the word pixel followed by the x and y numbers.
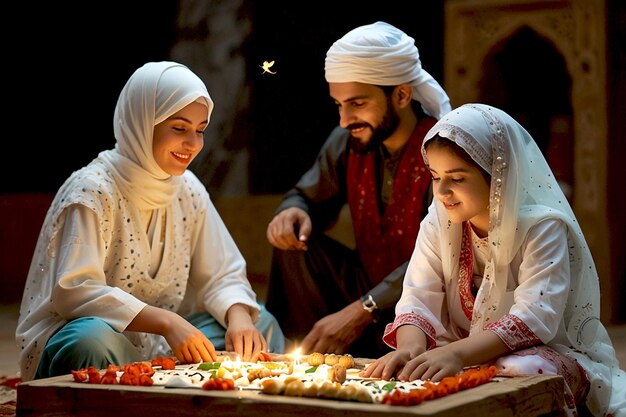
pixel 153 93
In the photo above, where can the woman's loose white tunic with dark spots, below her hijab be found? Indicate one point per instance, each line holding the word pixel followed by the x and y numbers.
pixel 98 255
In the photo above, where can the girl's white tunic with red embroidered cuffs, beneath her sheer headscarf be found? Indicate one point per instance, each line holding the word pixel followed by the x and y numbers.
pixel 537 288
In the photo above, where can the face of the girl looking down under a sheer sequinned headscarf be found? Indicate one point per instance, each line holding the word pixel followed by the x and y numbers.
pixel 460 186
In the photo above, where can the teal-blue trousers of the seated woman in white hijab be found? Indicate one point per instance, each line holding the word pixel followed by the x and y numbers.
pixel 90 341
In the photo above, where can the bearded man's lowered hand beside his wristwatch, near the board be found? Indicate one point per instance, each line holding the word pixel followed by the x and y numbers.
pixel 336 332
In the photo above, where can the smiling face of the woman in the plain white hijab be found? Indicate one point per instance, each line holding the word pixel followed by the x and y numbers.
pixel 178 139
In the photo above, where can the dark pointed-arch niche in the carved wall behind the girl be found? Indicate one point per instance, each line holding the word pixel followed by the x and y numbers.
pixel 526 76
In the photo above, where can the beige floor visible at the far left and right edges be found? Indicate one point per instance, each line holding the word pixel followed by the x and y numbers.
pixel 9 350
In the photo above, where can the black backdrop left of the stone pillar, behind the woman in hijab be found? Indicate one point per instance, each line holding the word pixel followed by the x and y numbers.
pixel 67 66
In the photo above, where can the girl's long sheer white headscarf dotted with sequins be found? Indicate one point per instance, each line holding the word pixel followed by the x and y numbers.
pixel 523 192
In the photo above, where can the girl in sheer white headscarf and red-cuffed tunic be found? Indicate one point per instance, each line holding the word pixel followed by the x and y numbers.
pixel 501 271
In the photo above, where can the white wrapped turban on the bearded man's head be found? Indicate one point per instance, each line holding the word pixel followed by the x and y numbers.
pixel 382 54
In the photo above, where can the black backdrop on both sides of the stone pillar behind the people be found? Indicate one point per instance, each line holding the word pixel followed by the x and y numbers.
pixel 67 66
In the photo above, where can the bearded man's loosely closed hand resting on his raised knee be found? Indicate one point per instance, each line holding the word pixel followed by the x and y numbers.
pixel 290 229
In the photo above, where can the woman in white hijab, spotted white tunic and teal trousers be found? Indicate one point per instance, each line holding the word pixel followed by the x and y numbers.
pixel 133 260
